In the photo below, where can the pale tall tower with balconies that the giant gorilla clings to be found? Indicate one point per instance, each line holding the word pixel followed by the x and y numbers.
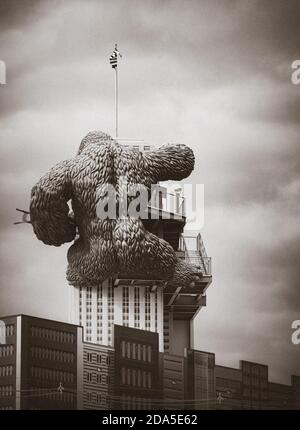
pixel 143 303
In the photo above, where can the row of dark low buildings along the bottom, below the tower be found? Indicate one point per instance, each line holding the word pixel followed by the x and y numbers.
pixel 46 364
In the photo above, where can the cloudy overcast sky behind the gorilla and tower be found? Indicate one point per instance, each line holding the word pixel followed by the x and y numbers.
pixel 213 75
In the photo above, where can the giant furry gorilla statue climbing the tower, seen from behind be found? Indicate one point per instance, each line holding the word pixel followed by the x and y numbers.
pixel 108 246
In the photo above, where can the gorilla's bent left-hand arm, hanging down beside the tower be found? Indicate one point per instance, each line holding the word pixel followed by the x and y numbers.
pixel 49 208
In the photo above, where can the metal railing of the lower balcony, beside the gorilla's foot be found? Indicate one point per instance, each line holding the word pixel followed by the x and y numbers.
pixel 194 252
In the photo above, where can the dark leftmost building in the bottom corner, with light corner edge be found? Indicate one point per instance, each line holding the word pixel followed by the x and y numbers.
pixel 40 364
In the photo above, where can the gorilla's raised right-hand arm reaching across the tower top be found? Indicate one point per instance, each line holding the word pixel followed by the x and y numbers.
pixel 170 162
